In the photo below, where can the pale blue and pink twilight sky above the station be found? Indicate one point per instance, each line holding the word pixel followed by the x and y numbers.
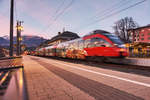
pixel 46 18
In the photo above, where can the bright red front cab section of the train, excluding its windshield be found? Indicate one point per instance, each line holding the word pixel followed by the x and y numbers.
pixel 100 46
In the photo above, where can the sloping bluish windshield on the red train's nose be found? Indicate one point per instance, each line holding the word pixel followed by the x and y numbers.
pixel 114 38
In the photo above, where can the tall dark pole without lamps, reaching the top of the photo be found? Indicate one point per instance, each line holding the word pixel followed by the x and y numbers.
pixel 11 28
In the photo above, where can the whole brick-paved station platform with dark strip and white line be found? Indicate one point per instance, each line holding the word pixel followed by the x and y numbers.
pixel 50 79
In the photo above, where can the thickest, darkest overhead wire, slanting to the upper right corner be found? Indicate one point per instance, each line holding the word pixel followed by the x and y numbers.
pixel 114 13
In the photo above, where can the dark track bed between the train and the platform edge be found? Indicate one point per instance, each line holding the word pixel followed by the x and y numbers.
pixel 141 70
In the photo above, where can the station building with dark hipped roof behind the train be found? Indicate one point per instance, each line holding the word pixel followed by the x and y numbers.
pixel 61 37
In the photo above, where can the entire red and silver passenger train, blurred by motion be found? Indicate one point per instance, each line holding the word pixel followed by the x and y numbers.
pixel 98 45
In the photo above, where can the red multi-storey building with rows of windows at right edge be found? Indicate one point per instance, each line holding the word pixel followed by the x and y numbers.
pixel 140 34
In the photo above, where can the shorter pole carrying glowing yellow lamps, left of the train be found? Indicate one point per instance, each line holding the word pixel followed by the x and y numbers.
pixel 19 29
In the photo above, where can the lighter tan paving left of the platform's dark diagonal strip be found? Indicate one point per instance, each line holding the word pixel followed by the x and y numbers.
pixel 43 84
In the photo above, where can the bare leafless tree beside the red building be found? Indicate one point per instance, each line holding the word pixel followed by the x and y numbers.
pixel 122 26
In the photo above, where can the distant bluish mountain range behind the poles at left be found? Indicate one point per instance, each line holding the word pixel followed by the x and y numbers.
pixel 29 41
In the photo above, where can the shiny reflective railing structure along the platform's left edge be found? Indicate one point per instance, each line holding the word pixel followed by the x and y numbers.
pixel 12 81
